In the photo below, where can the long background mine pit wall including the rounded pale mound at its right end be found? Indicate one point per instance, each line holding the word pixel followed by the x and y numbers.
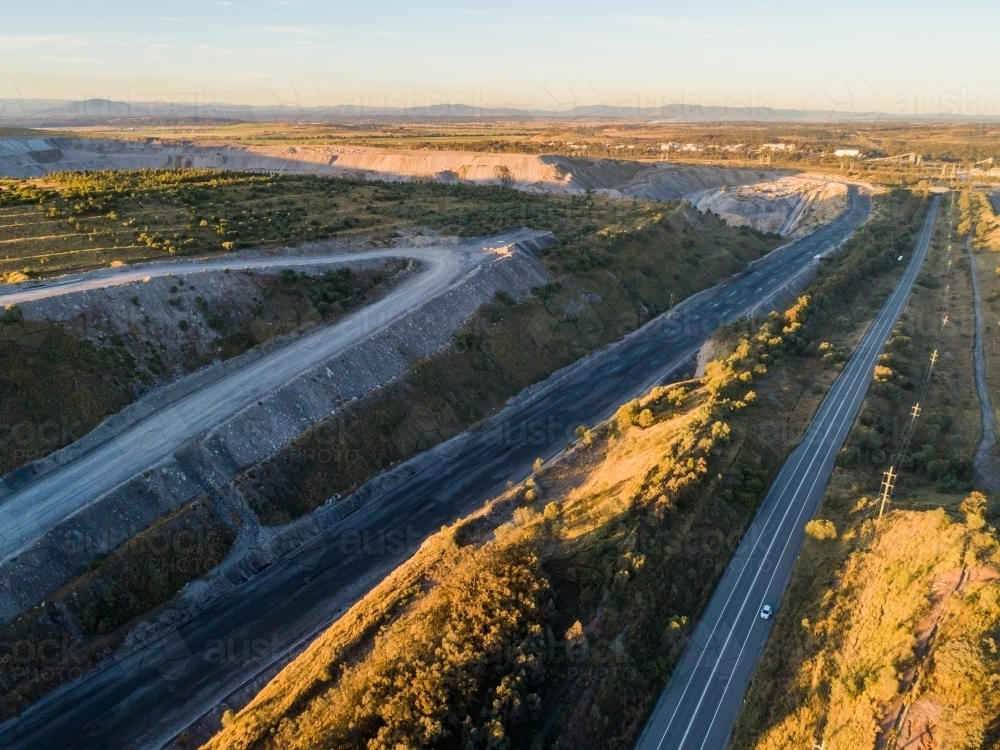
pixel 771 201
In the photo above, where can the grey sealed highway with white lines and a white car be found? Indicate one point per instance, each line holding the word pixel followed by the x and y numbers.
pixel 700 705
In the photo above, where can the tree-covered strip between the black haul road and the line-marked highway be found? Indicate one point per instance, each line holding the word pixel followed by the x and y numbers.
pixel 592 572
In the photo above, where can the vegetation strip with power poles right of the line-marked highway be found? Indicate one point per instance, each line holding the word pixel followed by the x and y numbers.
pixel 887 635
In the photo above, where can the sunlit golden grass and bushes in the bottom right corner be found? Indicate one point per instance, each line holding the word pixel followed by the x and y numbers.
pixel 893 627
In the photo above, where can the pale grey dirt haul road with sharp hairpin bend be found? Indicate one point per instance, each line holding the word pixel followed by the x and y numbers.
pixel 30 511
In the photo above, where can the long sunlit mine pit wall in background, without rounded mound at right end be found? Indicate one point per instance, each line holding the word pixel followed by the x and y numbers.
pixel 33 157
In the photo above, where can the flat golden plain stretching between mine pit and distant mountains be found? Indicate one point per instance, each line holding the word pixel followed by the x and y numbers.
pixel 729 143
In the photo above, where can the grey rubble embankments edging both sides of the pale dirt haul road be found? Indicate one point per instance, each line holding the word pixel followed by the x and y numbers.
pixel 207 463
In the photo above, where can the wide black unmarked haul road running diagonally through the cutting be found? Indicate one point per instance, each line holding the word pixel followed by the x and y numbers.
pixel 144 699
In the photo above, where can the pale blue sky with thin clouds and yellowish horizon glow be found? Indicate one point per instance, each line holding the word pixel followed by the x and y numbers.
pixel 912 57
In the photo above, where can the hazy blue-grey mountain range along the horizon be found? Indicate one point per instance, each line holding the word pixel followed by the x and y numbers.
pixel 41 112
